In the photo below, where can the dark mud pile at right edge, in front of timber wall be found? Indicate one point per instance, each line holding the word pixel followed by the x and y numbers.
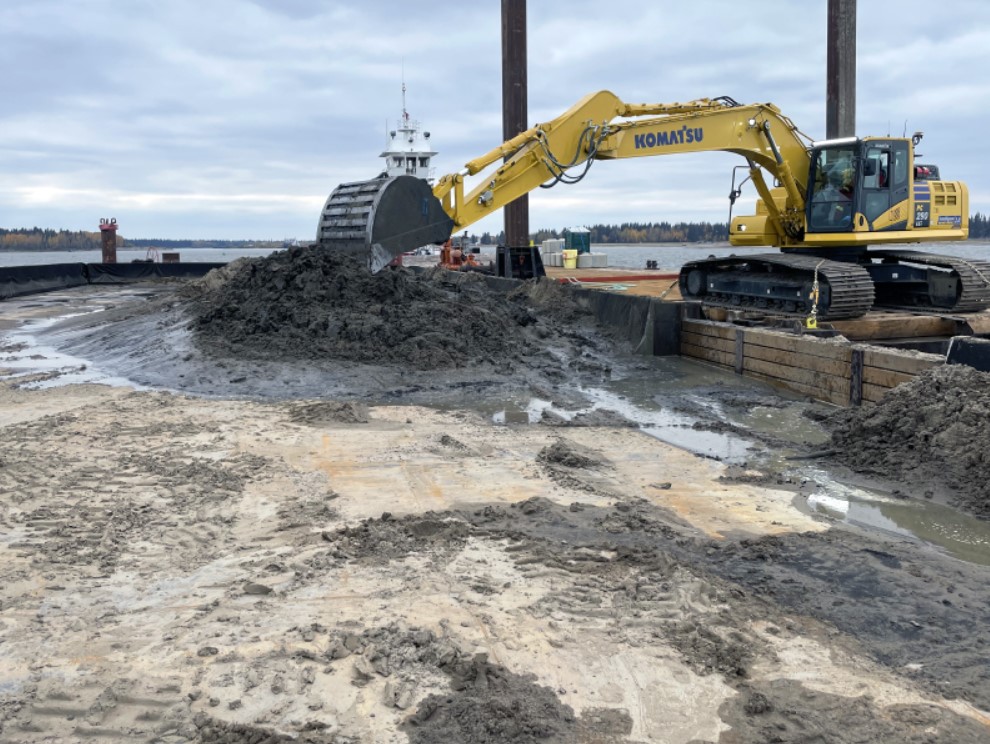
pixel 929 432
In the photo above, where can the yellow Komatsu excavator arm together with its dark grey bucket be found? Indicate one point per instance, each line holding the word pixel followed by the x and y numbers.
pixel 381 218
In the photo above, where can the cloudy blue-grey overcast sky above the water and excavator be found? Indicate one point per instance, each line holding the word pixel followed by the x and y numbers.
pixel 236 118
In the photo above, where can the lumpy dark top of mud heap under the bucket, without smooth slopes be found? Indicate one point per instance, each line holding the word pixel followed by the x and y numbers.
pixel 310 304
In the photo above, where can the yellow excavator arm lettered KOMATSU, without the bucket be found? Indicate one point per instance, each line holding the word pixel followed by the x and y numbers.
pixel 601 127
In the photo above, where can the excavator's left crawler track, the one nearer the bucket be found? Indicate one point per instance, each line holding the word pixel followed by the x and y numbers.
pixel 850 284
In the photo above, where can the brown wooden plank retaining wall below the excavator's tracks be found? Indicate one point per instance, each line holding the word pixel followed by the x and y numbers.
pixel 832 370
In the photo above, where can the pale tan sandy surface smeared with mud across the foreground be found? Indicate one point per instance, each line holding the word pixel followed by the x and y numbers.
pixel 184 563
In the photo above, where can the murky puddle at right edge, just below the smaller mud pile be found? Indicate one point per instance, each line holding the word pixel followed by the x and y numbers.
pixel 954 532
